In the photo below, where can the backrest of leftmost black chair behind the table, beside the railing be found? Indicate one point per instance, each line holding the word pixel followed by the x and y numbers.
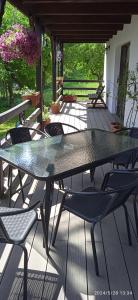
pixel 21 134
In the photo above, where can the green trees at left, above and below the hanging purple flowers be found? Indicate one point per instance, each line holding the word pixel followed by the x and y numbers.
pixel 16 72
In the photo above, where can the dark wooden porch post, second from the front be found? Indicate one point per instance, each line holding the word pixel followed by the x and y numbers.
pixel 53 42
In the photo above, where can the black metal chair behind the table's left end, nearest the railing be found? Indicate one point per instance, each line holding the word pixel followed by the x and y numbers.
pixel 16 136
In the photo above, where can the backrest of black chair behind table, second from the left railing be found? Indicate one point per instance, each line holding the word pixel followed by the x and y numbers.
pixel 56 128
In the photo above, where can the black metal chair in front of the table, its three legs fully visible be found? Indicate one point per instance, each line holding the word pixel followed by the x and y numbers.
pixel 93 205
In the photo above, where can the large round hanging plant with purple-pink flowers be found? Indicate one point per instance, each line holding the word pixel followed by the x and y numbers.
pixel 19 43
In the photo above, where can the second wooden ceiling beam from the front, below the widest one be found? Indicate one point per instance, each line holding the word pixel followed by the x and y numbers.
pixel 86 19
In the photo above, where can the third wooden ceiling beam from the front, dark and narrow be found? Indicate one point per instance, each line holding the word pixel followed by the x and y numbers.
pixel 85 27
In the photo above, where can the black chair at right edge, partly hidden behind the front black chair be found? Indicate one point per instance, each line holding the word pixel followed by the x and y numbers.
pixel 116 178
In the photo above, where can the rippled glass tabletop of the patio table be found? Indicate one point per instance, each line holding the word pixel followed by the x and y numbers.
pixel 65 155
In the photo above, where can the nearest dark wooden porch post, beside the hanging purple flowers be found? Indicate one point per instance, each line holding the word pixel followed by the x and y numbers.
pixel 39 70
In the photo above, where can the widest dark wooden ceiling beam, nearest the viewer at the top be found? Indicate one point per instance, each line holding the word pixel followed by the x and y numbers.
pixel 82 9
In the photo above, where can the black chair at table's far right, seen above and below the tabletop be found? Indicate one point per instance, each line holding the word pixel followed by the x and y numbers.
pixel 130 157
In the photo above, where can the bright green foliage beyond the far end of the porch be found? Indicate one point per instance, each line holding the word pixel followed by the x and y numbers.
pixel 84 61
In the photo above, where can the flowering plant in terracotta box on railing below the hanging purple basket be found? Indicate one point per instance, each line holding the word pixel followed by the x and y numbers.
pixel 31 95
